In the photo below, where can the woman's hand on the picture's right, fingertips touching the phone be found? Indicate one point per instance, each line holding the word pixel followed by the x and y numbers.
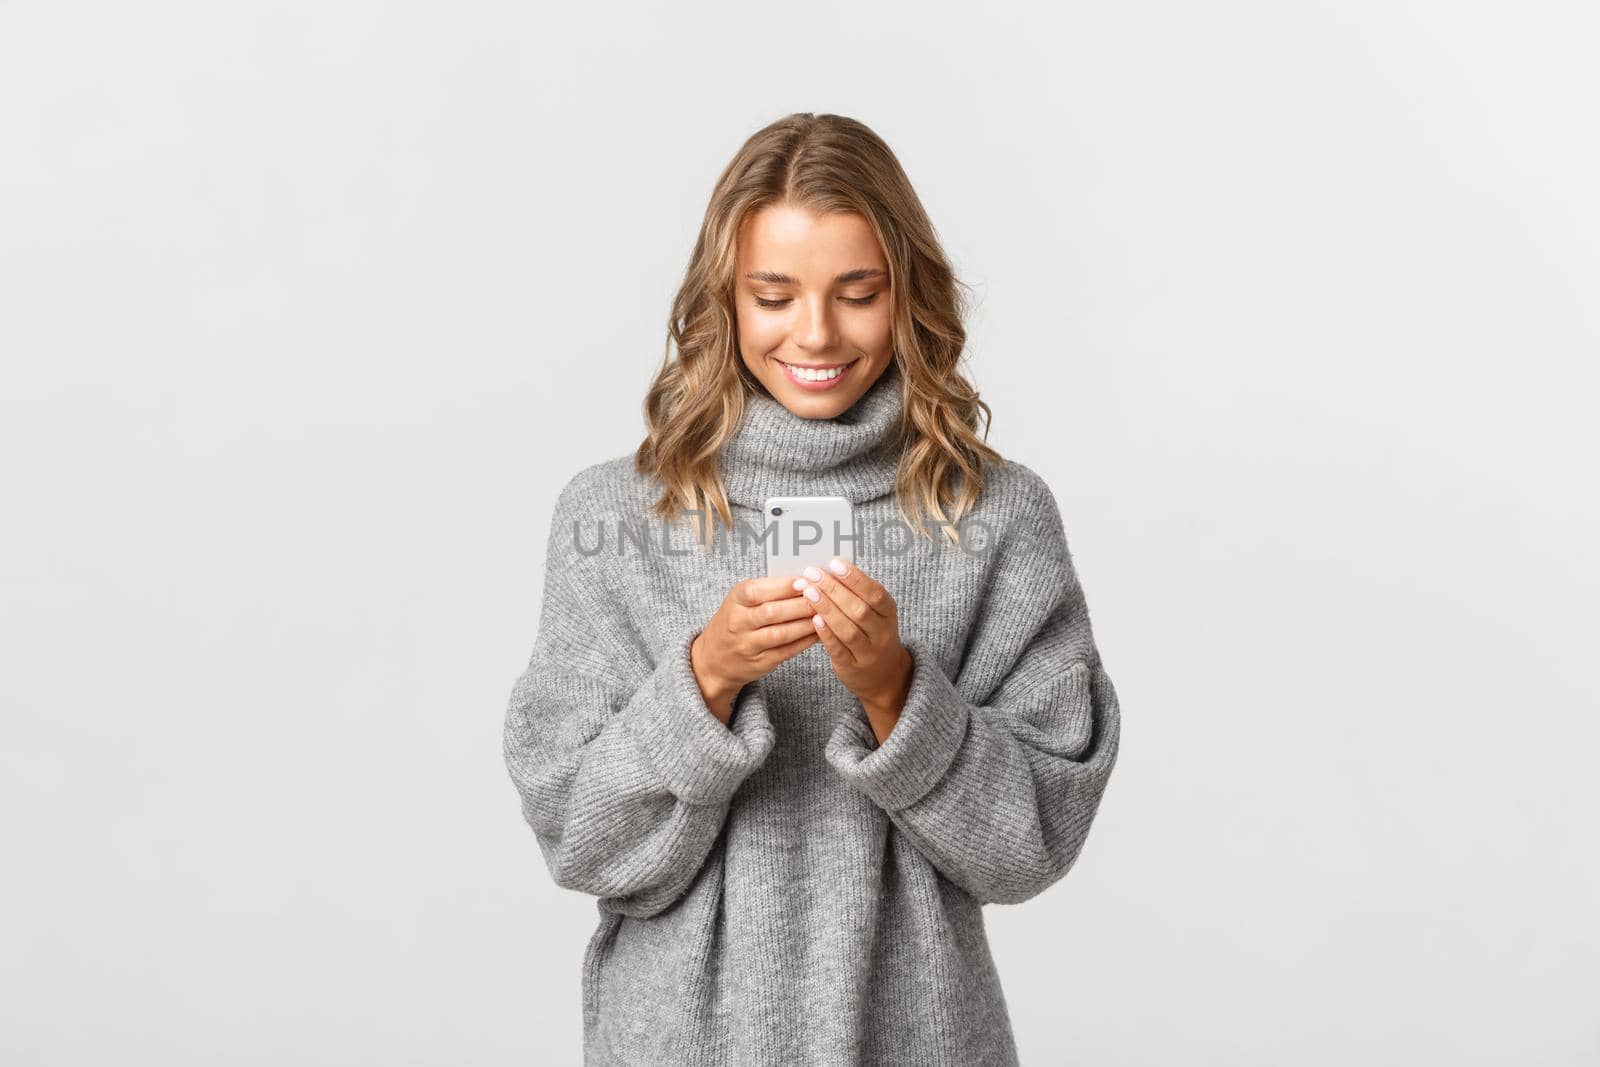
pixel 860 626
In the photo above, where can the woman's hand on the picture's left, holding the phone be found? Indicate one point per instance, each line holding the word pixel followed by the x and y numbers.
pixel 762 623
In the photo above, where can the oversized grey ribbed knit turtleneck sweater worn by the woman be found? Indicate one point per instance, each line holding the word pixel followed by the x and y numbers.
pixel 785 890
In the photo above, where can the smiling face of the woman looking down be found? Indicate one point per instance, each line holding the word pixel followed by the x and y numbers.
pixel 814 292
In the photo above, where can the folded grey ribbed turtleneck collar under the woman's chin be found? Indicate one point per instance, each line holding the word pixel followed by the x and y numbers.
pixel 854 455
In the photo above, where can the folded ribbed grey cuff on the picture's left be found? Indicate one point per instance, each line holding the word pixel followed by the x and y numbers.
pixel 700 761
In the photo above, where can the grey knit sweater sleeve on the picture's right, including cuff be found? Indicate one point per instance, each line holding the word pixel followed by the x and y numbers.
pixel 998 780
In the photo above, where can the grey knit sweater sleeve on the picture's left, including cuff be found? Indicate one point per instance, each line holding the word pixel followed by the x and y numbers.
pixel 623 772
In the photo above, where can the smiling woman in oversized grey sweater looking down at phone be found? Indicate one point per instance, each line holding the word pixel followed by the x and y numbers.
pixel 791 847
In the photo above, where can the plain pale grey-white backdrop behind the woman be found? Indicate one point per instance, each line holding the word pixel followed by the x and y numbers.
pixel 308 311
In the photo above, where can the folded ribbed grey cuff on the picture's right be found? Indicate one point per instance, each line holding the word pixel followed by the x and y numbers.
pixel 921 748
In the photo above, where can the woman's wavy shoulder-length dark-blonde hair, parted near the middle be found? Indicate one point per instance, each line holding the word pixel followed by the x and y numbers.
pixel 825 164
